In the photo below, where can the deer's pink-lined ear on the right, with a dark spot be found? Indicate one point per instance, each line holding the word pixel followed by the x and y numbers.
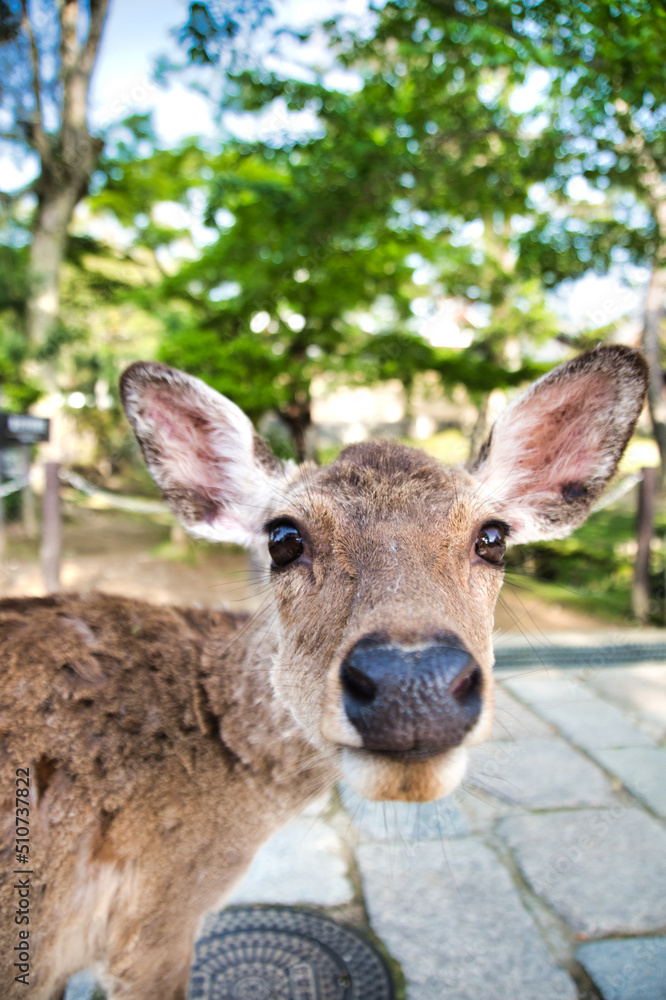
pixel 554 449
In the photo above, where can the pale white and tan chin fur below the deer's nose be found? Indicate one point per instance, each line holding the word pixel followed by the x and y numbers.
pixel 377 778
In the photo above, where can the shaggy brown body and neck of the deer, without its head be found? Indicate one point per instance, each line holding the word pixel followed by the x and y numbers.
pixel 149 792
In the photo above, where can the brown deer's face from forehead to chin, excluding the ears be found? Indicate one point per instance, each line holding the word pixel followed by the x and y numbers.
pixel 385 611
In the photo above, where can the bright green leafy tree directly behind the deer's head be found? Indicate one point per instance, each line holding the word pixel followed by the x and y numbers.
pixel 270 301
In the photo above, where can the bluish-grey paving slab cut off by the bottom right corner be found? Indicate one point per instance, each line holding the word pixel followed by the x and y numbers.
pixel 627 970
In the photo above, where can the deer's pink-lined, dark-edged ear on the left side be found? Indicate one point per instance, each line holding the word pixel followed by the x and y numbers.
pixel 214 470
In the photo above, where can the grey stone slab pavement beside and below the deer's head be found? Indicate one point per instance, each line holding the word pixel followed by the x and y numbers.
pixel 542 878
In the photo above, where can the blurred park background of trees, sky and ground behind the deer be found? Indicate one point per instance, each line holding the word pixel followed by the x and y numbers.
pixel 353 219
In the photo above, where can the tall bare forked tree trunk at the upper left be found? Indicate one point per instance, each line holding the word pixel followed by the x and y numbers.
pixel 47 55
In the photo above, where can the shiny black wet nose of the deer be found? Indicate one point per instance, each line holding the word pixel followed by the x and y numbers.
pixel 422 698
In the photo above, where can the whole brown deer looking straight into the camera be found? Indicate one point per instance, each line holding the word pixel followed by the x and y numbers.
pixel 148 752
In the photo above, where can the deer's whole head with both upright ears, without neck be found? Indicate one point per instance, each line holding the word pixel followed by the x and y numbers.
pixel 385 566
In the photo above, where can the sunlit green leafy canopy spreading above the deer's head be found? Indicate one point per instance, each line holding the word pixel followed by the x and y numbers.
pixel 324 247
